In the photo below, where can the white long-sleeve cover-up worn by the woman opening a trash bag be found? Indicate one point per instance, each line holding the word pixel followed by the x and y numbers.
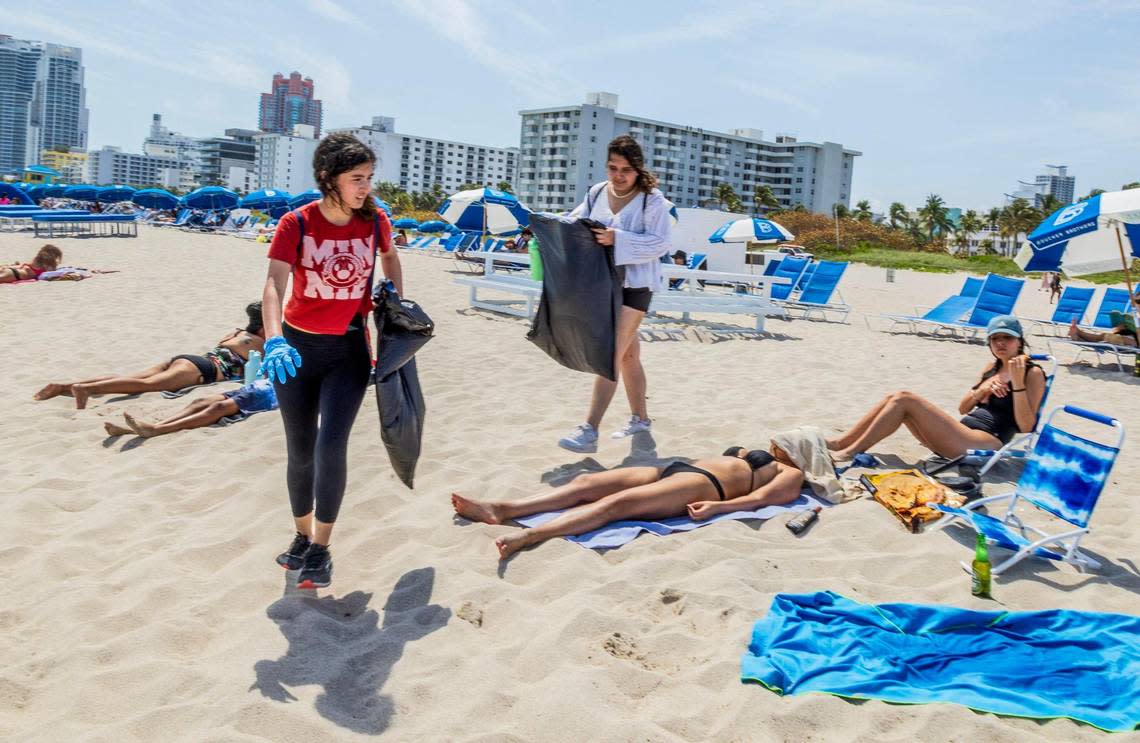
pixel 641 236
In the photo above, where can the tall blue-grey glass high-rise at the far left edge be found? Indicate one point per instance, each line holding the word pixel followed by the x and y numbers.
pixel 43 101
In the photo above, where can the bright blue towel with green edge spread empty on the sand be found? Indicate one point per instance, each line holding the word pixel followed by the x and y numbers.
pixel 1085 666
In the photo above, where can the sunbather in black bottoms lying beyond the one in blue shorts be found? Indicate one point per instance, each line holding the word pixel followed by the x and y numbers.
pixel 225 363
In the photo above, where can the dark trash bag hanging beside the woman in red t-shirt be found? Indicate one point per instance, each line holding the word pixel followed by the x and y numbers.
pixel 403 329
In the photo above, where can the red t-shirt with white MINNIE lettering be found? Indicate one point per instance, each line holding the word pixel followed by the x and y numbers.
pixel 331 270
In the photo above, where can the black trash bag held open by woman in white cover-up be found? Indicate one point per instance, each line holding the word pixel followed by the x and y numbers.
pixel 577 320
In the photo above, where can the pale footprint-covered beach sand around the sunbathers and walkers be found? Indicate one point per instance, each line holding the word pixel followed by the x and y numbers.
pixel 144 603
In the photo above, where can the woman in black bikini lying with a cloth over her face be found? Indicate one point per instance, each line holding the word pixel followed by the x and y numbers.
pixel 739 480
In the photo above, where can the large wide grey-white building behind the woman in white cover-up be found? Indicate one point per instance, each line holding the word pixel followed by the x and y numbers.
pixel 563 153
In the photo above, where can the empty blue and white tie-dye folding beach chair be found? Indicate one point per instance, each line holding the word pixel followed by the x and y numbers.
pixel 1064 477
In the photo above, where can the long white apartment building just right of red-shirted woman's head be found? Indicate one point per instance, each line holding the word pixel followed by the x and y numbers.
pixel 416 164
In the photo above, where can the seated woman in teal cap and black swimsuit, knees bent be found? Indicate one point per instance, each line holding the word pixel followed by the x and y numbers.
pixel 1003 403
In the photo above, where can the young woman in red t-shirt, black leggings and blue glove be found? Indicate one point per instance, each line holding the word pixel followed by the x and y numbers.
pixel 317 353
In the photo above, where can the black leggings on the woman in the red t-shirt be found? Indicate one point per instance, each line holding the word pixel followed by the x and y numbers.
pixel 329 388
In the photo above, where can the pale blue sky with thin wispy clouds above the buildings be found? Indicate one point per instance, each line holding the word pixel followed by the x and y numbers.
pixel 956 99
